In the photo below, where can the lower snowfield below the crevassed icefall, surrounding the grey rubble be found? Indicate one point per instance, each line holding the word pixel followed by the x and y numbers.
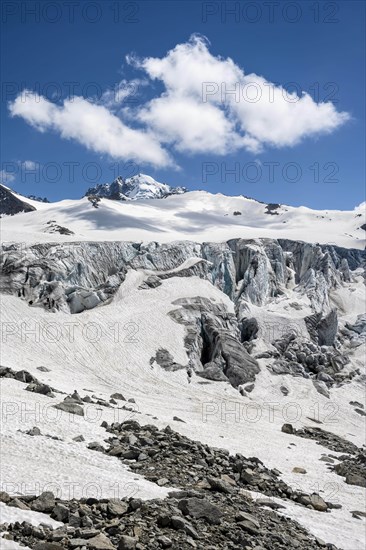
pixel 117 358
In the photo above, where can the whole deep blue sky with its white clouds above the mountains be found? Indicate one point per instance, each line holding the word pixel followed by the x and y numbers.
pixel 296 150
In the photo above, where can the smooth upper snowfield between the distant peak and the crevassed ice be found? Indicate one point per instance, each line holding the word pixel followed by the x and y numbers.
pixel 195 215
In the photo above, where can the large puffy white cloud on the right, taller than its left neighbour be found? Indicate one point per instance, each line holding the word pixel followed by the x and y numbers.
pixel 208 94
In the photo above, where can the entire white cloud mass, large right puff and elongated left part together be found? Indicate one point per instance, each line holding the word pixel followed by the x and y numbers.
pixel 208 105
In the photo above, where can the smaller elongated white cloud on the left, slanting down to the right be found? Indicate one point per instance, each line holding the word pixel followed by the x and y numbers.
pixel 92 125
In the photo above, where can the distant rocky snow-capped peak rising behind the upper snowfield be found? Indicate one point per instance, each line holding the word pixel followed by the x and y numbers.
pixel 140 186
